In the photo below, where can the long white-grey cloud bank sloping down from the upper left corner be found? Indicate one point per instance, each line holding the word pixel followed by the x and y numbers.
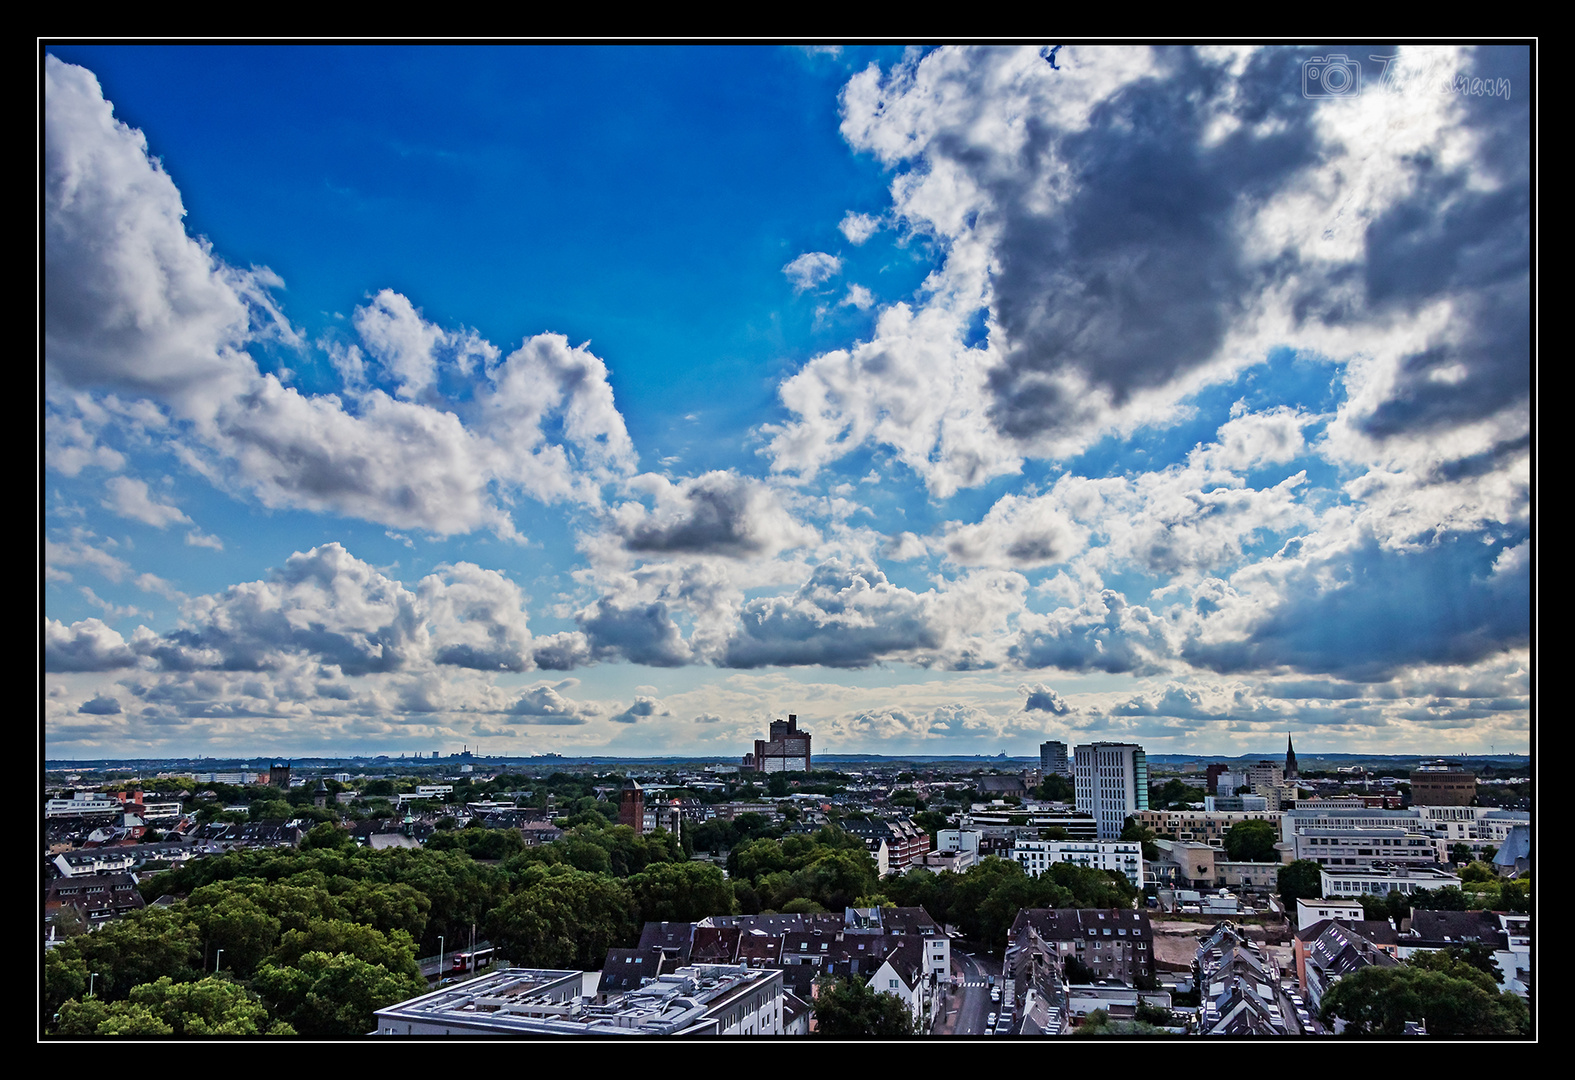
pixel 138 306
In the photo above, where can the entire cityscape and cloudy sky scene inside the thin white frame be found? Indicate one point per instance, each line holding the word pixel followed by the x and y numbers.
pixel 848 541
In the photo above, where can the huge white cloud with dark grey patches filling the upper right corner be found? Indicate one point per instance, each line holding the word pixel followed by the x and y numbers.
pixel 1138 224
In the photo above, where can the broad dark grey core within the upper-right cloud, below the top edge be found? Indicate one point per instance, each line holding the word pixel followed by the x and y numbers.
pixel 1140 273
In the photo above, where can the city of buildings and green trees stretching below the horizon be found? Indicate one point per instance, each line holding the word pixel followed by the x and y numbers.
pixel 873 898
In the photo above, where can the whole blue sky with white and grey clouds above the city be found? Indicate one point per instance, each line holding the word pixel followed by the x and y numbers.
pixel 618 401
